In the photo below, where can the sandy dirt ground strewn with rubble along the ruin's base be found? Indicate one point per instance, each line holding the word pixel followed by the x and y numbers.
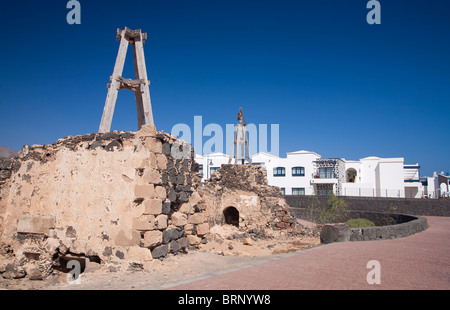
pixel 227 249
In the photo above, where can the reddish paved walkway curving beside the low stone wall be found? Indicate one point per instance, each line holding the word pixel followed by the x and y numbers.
pixel 421 261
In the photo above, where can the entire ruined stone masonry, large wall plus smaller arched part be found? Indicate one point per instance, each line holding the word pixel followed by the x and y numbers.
pixel 122 199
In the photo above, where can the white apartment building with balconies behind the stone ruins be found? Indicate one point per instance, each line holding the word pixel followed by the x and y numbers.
pixel 306 173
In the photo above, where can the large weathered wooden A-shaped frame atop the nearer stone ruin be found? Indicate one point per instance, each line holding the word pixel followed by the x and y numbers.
pixel 140 86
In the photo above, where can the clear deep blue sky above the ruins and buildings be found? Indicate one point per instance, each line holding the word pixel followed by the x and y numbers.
pixel 335 84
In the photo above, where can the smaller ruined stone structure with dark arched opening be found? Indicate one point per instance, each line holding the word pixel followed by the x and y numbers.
pixel 245 188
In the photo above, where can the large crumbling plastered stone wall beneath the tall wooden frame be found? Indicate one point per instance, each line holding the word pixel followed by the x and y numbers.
pixel 114 197
